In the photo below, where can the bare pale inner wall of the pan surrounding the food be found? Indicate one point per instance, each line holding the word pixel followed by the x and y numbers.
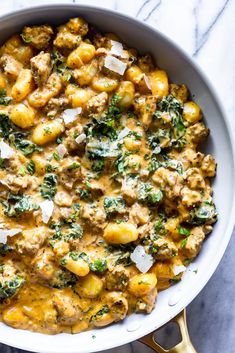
pixel 180 70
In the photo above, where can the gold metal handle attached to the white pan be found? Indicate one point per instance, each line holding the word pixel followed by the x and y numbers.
pixel 185 346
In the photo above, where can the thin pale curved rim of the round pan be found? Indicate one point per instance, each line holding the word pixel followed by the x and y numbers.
pixel 208 83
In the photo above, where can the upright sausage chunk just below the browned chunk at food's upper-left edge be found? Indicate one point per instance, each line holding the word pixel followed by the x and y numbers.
pixel 41 67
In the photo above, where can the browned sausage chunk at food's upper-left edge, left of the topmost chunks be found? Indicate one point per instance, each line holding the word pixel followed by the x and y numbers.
pixel 38 36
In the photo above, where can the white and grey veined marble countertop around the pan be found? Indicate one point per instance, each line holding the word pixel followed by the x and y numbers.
pixel 205 29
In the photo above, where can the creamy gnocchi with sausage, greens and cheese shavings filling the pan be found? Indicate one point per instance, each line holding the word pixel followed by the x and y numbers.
pixel 105 198
